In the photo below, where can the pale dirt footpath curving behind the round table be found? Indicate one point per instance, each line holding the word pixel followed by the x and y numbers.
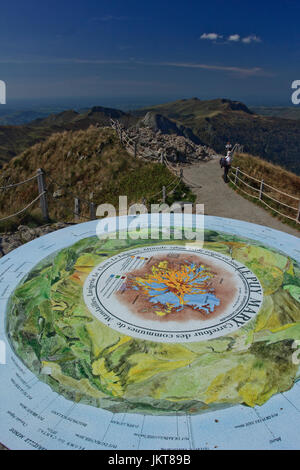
pixel 205 180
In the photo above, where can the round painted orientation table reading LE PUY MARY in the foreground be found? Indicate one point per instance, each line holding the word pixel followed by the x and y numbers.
pixel 143 342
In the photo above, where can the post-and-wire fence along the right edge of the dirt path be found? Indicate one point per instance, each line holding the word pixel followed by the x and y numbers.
pixel 266 194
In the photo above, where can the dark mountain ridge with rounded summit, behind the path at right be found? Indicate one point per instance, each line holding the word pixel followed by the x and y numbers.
pixel 217 121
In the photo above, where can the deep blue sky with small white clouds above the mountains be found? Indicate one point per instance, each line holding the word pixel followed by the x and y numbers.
pixel 110 50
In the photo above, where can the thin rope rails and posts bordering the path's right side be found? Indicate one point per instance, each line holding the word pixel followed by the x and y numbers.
pixel 235 178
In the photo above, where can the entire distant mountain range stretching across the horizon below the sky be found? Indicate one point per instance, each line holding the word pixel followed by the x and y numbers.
pixel 211 122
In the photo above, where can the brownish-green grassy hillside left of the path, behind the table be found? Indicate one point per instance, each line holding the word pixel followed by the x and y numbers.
pixel 84 162
